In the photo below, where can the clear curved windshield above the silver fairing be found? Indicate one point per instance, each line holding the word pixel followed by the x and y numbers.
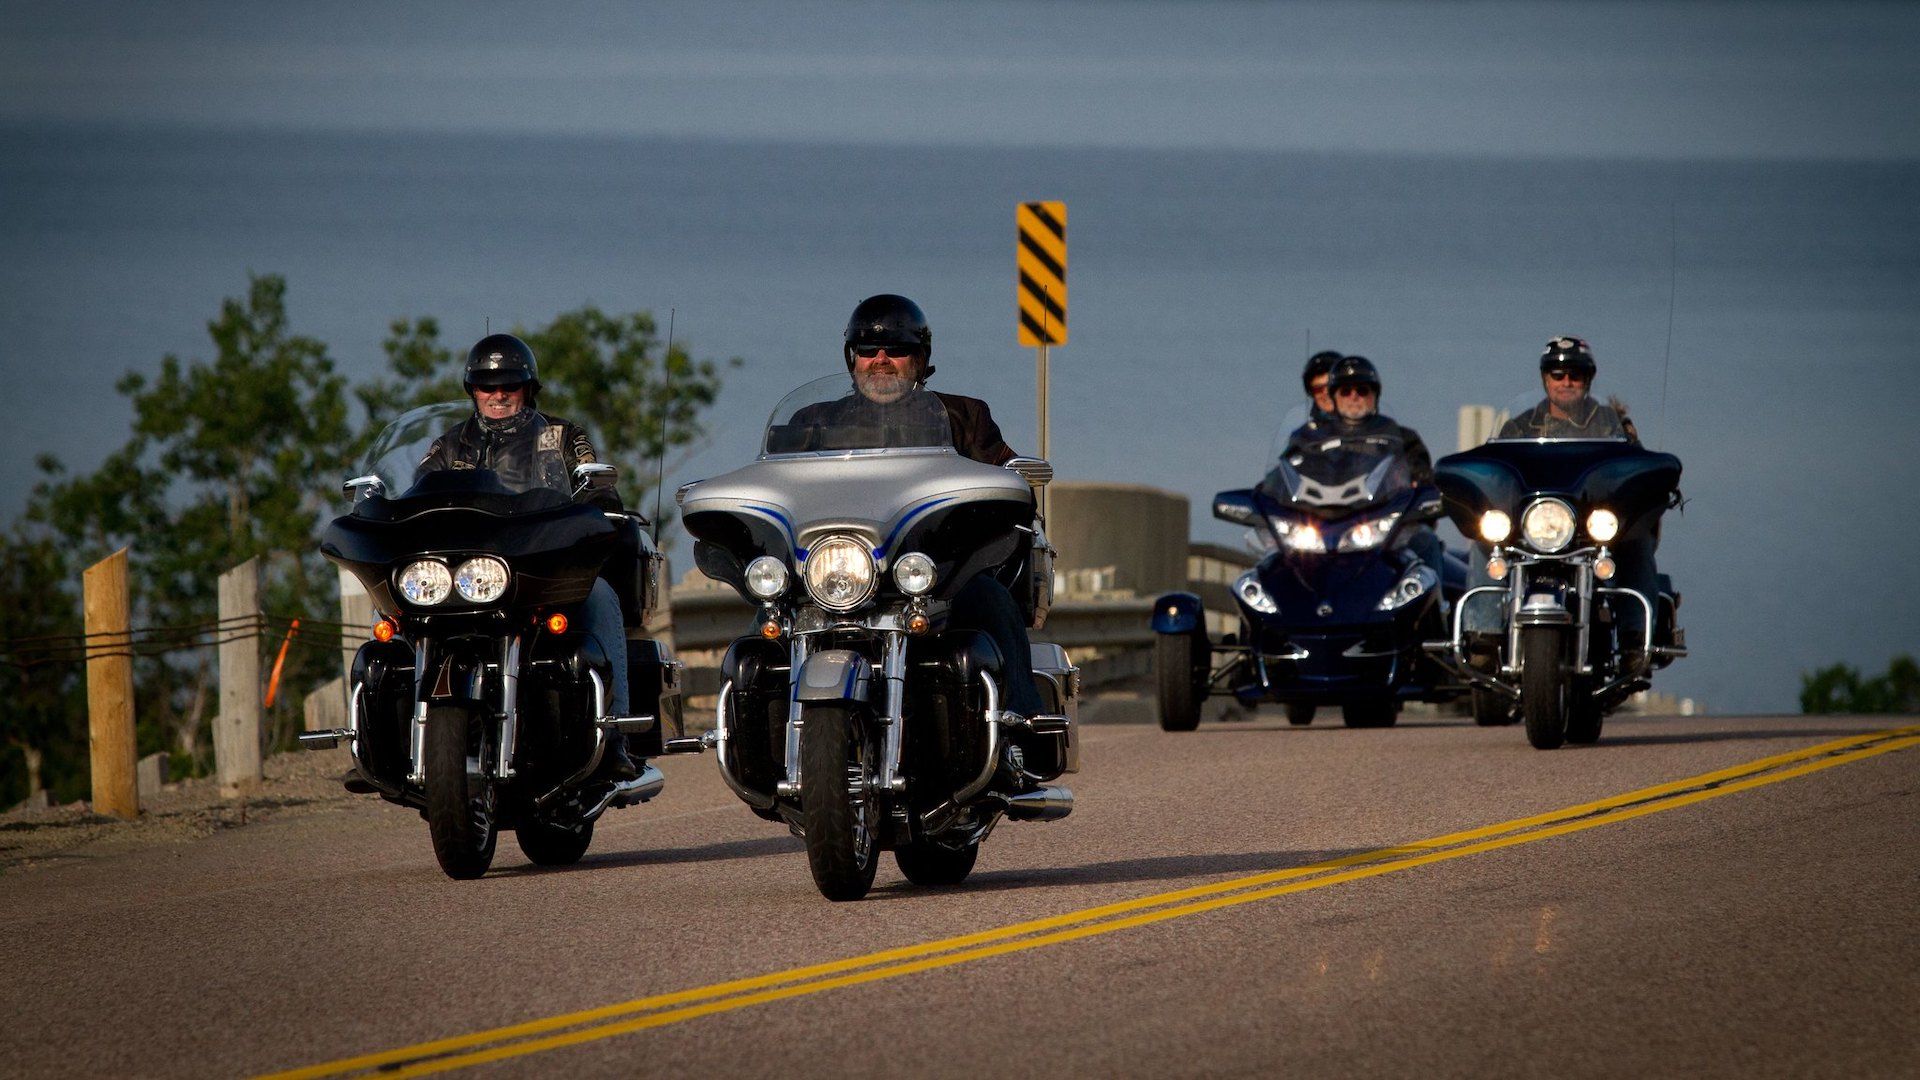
pixel 842 416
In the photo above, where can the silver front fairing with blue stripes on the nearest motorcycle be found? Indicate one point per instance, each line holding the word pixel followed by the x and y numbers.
pixel 876 495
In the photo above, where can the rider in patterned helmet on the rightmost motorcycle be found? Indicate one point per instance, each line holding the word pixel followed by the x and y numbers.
pixel 1572 412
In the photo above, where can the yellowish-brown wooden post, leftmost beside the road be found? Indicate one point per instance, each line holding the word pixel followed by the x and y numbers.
pixel 110 687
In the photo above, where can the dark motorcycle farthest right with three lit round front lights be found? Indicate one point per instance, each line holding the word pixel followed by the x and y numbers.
pixel 1554 512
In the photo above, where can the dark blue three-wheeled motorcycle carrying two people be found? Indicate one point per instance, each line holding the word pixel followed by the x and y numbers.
pixel 1339 608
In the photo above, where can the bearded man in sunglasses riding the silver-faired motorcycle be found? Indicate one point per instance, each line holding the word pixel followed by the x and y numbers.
pixel 890 349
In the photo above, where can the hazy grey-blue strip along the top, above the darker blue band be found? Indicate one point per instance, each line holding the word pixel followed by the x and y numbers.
pixel 1637 80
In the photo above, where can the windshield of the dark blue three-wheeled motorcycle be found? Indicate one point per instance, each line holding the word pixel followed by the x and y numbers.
pixel 1326 466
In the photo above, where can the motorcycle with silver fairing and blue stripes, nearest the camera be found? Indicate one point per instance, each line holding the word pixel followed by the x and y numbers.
pixel 853 714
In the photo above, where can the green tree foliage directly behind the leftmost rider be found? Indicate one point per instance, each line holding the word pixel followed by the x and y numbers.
pixel 612 374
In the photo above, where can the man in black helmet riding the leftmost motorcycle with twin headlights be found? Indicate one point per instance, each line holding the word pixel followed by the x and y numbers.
pixel 529 449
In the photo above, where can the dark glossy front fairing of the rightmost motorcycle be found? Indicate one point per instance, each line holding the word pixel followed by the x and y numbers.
pixel 1631 481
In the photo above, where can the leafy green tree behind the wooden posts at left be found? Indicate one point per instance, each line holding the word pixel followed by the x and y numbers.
pixel 229 458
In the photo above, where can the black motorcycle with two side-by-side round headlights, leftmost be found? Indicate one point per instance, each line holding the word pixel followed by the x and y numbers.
pixel 483 700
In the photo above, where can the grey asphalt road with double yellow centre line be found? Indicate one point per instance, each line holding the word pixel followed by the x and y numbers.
pixel 1347 902
